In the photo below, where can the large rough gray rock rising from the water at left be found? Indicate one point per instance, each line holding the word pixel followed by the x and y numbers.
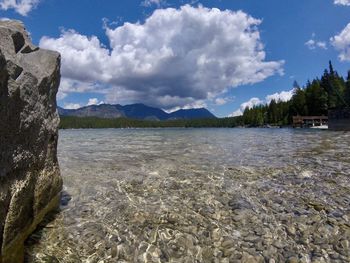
pixel 30 180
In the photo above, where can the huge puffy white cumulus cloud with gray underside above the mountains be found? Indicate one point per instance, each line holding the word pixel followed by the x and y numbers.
pixel 177 57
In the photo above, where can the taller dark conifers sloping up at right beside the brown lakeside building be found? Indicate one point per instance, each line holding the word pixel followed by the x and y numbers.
pixel 331 91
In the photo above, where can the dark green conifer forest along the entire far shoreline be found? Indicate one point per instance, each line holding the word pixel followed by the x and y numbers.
pixel 330 91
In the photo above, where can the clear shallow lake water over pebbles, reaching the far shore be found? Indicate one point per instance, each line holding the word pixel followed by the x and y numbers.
pixel 200 195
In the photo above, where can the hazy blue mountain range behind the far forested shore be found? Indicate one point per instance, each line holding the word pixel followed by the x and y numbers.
pixel 134 111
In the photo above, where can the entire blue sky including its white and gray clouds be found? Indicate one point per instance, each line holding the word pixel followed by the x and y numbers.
pixel 224 55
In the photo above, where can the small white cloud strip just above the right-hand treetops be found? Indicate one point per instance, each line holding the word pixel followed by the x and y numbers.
pixel 282 96
